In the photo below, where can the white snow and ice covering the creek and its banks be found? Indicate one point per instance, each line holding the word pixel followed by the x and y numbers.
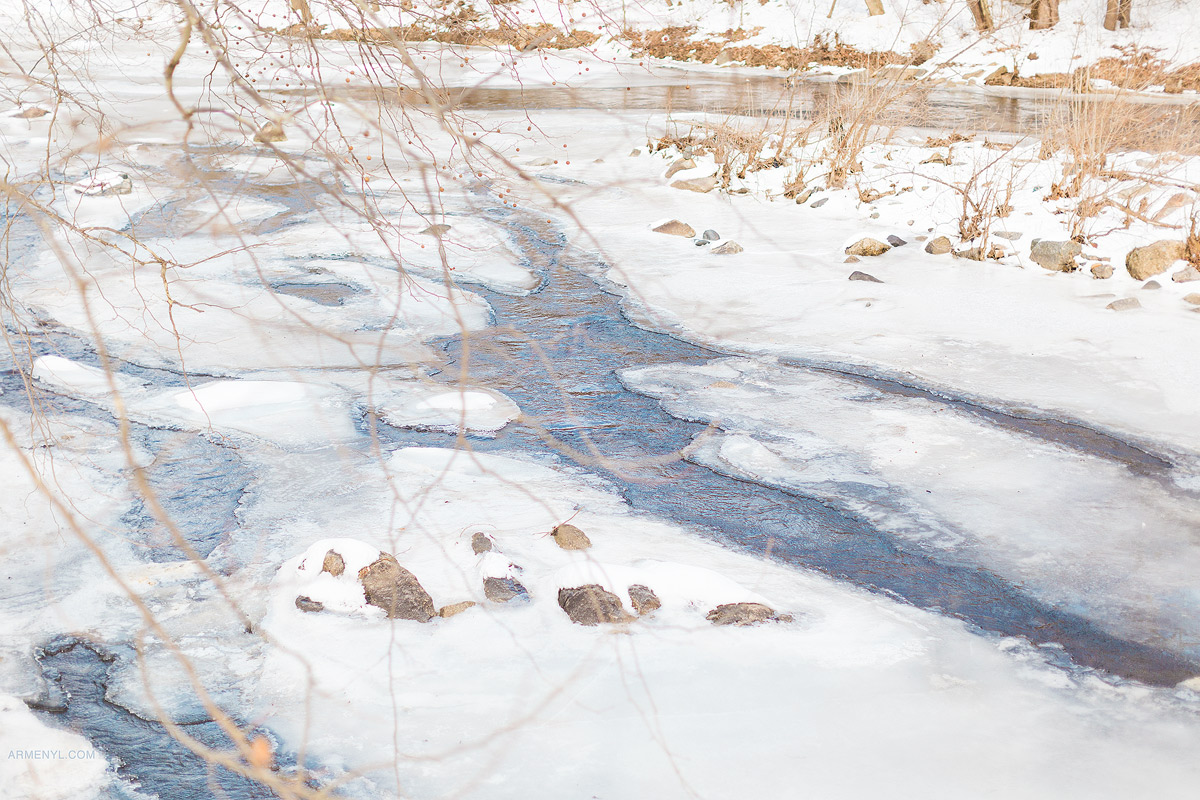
pixel 302 305
